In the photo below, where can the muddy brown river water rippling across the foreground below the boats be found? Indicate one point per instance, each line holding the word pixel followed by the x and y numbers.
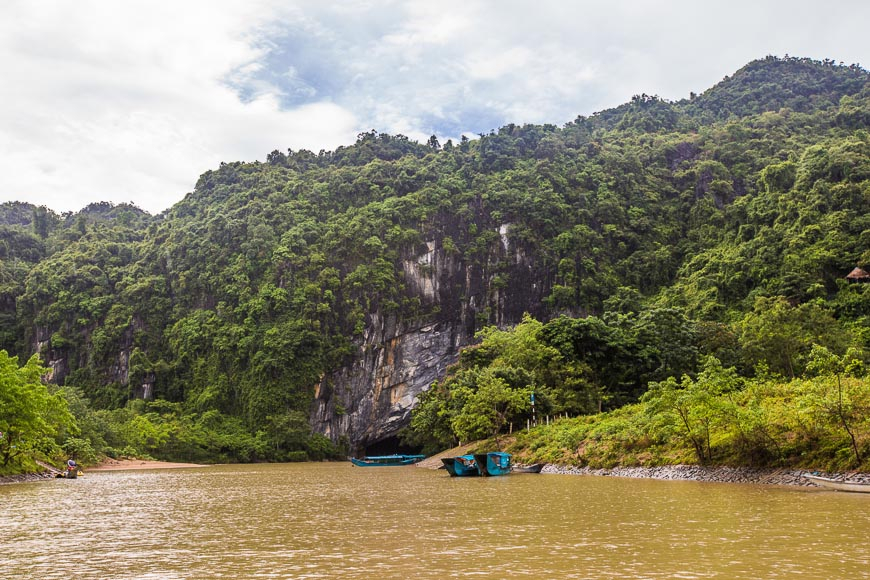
pixel 333 520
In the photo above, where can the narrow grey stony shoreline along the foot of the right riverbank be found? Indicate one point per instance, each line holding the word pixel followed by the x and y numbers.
pixel 792 477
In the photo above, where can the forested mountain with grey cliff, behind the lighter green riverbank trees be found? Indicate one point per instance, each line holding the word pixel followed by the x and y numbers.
pixel 328 290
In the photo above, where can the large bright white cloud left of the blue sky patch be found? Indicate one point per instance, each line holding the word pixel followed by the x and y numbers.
pixel 132 101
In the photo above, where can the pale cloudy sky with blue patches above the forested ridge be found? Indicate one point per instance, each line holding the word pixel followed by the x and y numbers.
pixel 130 102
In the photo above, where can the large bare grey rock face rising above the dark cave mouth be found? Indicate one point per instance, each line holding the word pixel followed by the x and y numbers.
pixel 371 399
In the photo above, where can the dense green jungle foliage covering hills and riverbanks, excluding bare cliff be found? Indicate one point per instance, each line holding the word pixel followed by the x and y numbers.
pixel 693 250
